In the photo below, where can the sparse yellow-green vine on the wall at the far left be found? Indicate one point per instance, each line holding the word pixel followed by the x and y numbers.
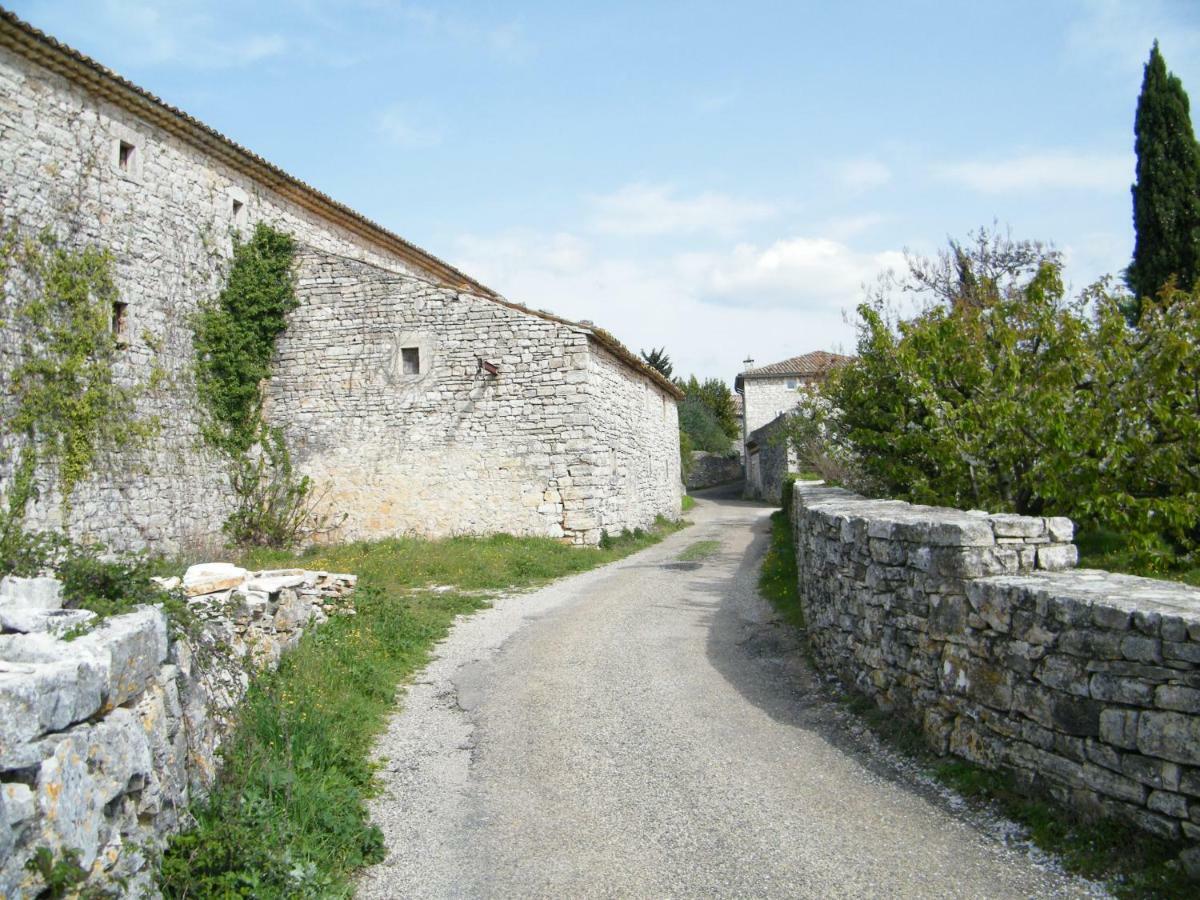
pixel 64 405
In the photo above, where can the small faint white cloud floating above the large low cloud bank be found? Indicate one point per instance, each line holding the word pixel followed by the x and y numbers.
pixel 643 211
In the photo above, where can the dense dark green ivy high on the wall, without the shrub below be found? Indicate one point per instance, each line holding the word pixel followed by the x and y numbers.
pixel 236 338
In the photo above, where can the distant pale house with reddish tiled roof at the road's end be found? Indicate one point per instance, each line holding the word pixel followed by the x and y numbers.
pixel 767 394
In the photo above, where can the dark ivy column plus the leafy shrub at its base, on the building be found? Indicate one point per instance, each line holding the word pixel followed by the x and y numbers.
pixel 235 345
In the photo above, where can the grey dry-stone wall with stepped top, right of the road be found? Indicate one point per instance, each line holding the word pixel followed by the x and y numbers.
pixel 1084 685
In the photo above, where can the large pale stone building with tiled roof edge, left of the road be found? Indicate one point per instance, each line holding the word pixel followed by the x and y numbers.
pixel 418 400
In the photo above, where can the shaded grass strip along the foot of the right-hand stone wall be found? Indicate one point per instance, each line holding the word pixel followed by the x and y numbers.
pixel 1131 862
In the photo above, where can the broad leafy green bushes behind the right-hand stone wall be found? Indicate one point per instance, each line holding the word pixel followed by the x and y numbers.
pixel 1006 395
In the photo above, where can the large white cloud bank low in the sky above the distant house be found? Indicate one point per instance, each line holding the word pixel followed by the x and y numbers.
pixel 694 305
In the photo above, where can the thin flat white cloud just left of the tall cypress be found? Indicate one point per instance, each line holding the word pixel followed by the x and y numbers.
pixel 1045 171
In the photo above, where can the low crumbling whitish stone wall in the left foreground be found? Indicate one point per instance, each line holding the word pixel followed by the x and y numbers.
pixel 106 739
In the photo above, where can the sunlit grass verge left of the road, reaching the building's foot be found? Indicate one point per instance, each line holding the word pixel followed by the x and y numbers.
pixel 287 818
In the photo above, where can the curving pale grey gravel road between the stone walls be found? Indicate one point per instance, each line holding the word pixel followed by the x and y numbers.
pixel 650 730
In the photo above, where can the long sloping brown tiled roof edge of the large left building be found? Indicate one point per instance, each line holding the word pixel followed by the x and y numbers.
pixel 25 40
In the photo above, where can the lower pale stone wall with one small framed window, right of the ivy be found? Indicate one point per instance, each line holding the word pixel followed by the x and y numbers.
pixel 562 442
